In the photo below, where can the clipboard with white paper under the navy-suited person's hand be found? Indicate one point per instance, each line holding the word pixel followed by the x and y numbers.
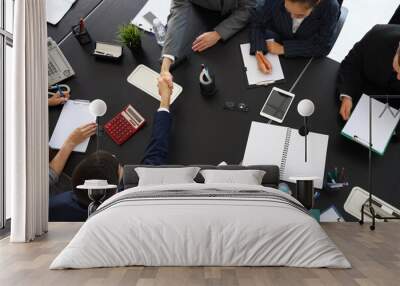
pixel 254 75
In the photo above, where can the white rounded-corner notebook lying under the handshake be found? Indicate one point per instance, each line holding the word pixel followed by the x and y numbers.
pixel 145 79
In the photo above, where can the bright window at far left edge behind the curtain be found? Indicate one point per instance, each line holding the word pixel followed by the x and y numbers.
pixel 6 42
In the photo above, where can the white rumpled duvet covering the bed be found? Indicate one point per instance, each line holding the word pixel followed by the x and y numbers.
pixel 192 231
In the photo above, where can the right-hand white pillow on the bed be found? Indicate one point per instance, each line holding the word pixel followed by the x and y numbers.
pixel 247 177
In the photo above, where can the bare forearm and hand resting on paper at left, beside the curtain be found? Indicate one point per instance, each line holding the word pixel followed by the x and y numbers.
pixel 59 182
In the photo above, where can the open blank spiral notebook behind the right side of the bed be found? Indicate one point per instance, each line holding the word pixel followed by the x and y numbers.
pixel 283 146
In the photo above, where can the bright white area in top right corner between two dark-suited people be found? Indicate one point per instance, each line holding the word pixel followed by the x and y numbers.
pixel 362 16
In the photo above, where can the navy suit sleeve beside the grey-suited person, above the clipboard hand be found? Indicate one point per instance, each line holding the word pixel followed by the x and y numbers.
pixel 260 28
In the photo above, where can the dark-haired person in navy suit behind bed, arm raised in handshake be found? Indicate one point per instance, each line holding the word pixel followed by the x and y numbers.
pixel 72 205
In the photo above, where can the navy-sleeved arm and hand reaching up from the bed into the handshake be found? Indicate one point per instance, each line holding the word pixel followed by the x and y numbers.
pixel 157 151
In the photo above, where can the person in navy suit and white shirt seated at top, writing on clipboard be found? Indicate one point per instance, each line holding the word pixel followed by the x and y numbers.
pixel 294 28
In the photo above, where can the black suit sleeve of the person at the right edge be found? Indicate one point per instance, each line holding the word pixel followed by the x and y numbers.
pixel 350 79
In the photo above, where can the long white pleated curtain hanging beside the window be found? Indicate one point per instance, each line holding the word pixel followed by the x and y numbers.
pixel 27 124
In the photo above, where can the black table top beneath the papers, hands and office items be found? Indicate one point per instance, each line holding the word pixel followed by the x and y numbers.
pixel 203 132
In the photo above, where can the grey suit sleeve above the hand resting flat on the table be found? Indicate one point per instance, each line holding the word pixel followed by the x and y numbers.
pixel 237 20
